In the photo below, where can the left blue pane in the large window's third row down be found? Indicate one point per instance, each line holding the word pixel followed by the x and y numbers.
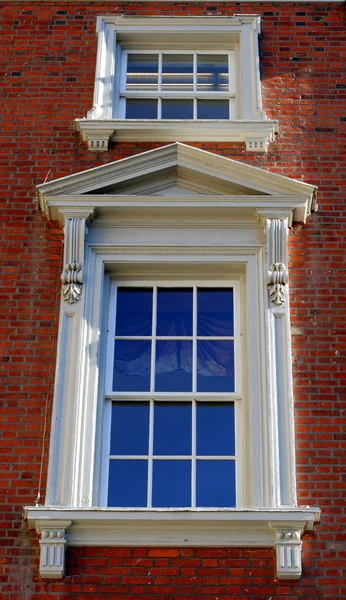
pixel 130 428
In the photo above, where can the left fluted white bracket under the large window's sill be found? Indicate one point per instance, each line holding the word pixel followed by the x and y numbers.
pixel 52 548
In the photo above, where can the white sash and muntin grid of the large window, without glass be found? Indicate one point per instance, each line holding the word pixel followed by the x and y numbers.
pixel 191 397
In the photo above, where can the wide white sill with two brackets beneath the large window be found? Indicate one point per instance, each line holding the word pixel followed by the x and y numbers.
pixel 280 528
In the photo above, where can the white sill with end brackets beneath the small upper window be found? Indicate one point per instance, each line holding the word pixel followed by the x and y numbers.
pixel 98 132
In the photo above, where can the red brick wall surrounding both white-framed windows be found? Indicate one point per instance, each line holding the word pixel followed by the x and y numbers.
pixel 47 65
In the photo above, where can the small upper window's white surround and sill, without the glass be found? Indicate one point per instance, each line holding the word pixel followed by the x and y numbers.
pixel 237 35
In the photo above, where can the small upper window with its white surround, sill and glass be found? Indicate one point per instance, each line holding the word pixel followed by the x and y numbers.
pixel 157 78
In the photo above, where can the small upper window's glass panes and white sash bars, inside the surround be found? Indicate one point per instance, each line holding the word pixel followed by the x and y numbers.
pixel 177 85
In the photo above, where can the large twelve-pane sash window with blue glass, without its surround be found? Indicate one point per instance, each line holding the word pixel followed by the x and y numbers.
pixel 171 396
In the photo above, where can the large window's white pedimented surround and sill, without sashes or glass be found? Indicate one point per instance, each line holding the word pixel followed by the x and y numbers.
pixel 226 234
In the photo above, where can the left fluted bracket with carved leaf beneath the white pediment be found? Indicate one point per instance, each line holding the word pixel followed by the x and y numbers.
pixel 72 275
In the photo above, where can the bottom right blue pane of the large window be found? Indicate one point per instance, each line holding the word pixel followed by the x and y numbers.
pixel 215 484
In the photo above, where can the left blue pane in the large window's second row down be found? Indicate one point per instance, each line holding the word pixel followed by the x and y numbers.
pixel 131 366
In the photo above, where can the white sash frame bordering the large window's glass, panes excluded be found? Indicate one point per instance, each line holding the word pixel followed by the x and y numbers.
pixel 193 396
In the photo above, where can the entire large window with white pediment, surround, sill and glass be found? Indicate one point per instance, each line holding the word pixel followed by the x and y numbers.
pixel 166 318
